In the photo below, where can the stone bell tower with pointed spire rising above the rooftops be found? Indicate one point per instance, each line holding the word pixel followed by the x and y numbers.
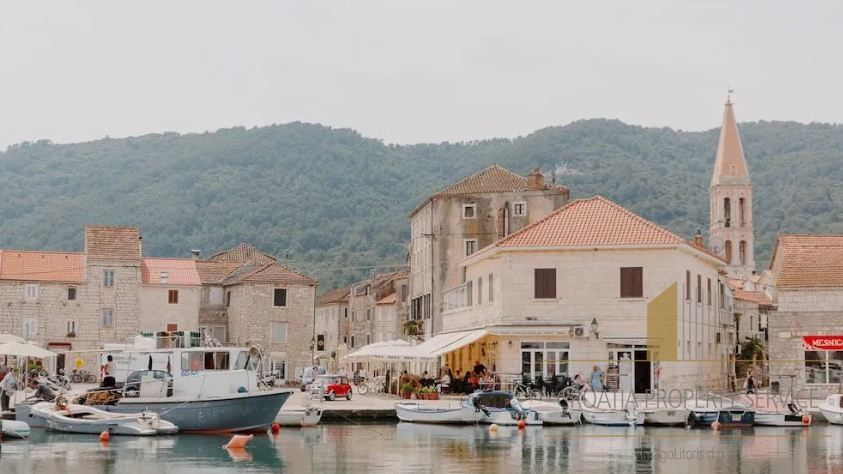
pixel 730 198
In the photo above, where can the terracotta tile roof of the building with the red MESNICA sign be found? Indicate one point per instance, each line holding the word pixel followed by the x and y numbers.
pixel 809 261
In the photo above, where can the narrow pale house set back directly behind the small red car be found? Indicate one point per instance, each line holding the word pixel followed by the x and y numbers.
pixel 331 314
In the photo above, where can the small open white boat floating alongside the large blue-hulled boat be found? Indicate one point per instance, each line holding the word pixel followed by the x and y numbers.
pixel 90 420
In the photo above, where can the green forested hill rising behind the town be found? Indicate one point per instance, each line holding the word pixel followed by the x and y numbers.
pixel 333 203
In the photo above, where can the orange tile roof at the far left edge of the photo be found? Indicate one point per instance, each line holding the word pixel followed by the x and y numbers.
pixel 59 267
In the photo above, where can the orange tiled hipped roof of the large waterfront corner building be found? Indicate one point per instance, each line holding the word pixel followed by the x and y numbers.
pixel 594 221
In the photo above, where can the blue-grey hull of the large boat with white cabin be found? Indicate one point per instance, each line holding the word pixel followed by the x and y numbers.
pixel 232 413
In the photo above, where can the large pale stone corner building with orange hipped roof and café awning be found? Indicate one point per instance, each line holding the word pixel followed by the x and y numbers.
pixel 593 281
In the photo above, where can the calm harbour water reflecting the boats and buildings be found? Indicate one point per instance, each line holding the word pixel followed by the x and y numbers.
pixel 408 448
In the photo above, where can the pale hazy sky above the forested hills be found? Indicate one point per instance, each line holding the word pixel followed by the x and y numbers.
pixel 410 71
